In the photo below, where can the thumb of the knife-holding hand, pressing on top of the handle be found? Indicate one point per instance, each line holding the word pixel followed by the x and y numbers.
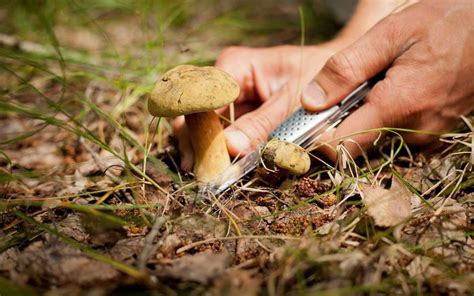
pixel 362 60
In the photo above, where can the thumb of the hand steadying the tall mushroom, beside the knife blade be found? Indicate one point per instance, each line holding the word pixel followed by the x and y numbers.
pixel 253 128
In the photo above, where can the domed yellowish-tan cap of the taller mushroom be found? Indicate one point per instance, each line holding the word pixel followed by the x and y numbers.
pixel 188 89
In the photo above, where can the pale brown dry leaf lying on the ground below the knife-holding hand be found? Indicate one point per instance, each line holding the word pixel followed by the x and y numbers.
pixel 388 207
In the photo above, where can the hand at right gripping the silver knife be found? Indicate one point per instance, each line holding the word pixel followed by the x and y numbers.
pixel 428 49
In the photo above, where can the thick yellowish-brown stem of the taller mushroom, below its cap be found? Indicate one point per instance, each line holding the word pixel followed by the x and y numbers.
pixel 210 150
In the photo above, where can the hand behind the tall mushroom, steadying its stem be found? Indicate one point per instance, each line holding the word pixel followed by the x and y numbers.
pixel 271 80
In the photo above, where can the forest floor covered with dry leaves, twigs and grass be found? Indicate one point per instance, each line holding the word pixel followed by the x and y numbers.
pixel 92 200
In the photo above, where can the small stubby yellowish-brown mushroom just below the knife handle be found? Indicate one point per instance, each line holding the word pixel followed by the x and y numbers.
pixel 289 157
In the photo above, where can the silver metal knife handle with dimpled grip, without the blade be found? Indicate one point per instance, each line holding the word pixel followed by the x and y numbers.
pixel 302 126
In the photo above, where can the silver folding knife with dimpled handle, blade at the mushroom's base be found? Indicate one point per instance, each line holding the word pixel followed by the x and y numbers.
pixel 301 128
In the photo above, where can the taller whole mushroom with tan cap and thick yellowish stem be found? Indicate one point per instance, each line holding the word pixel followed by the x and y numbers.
pixel 196 92
